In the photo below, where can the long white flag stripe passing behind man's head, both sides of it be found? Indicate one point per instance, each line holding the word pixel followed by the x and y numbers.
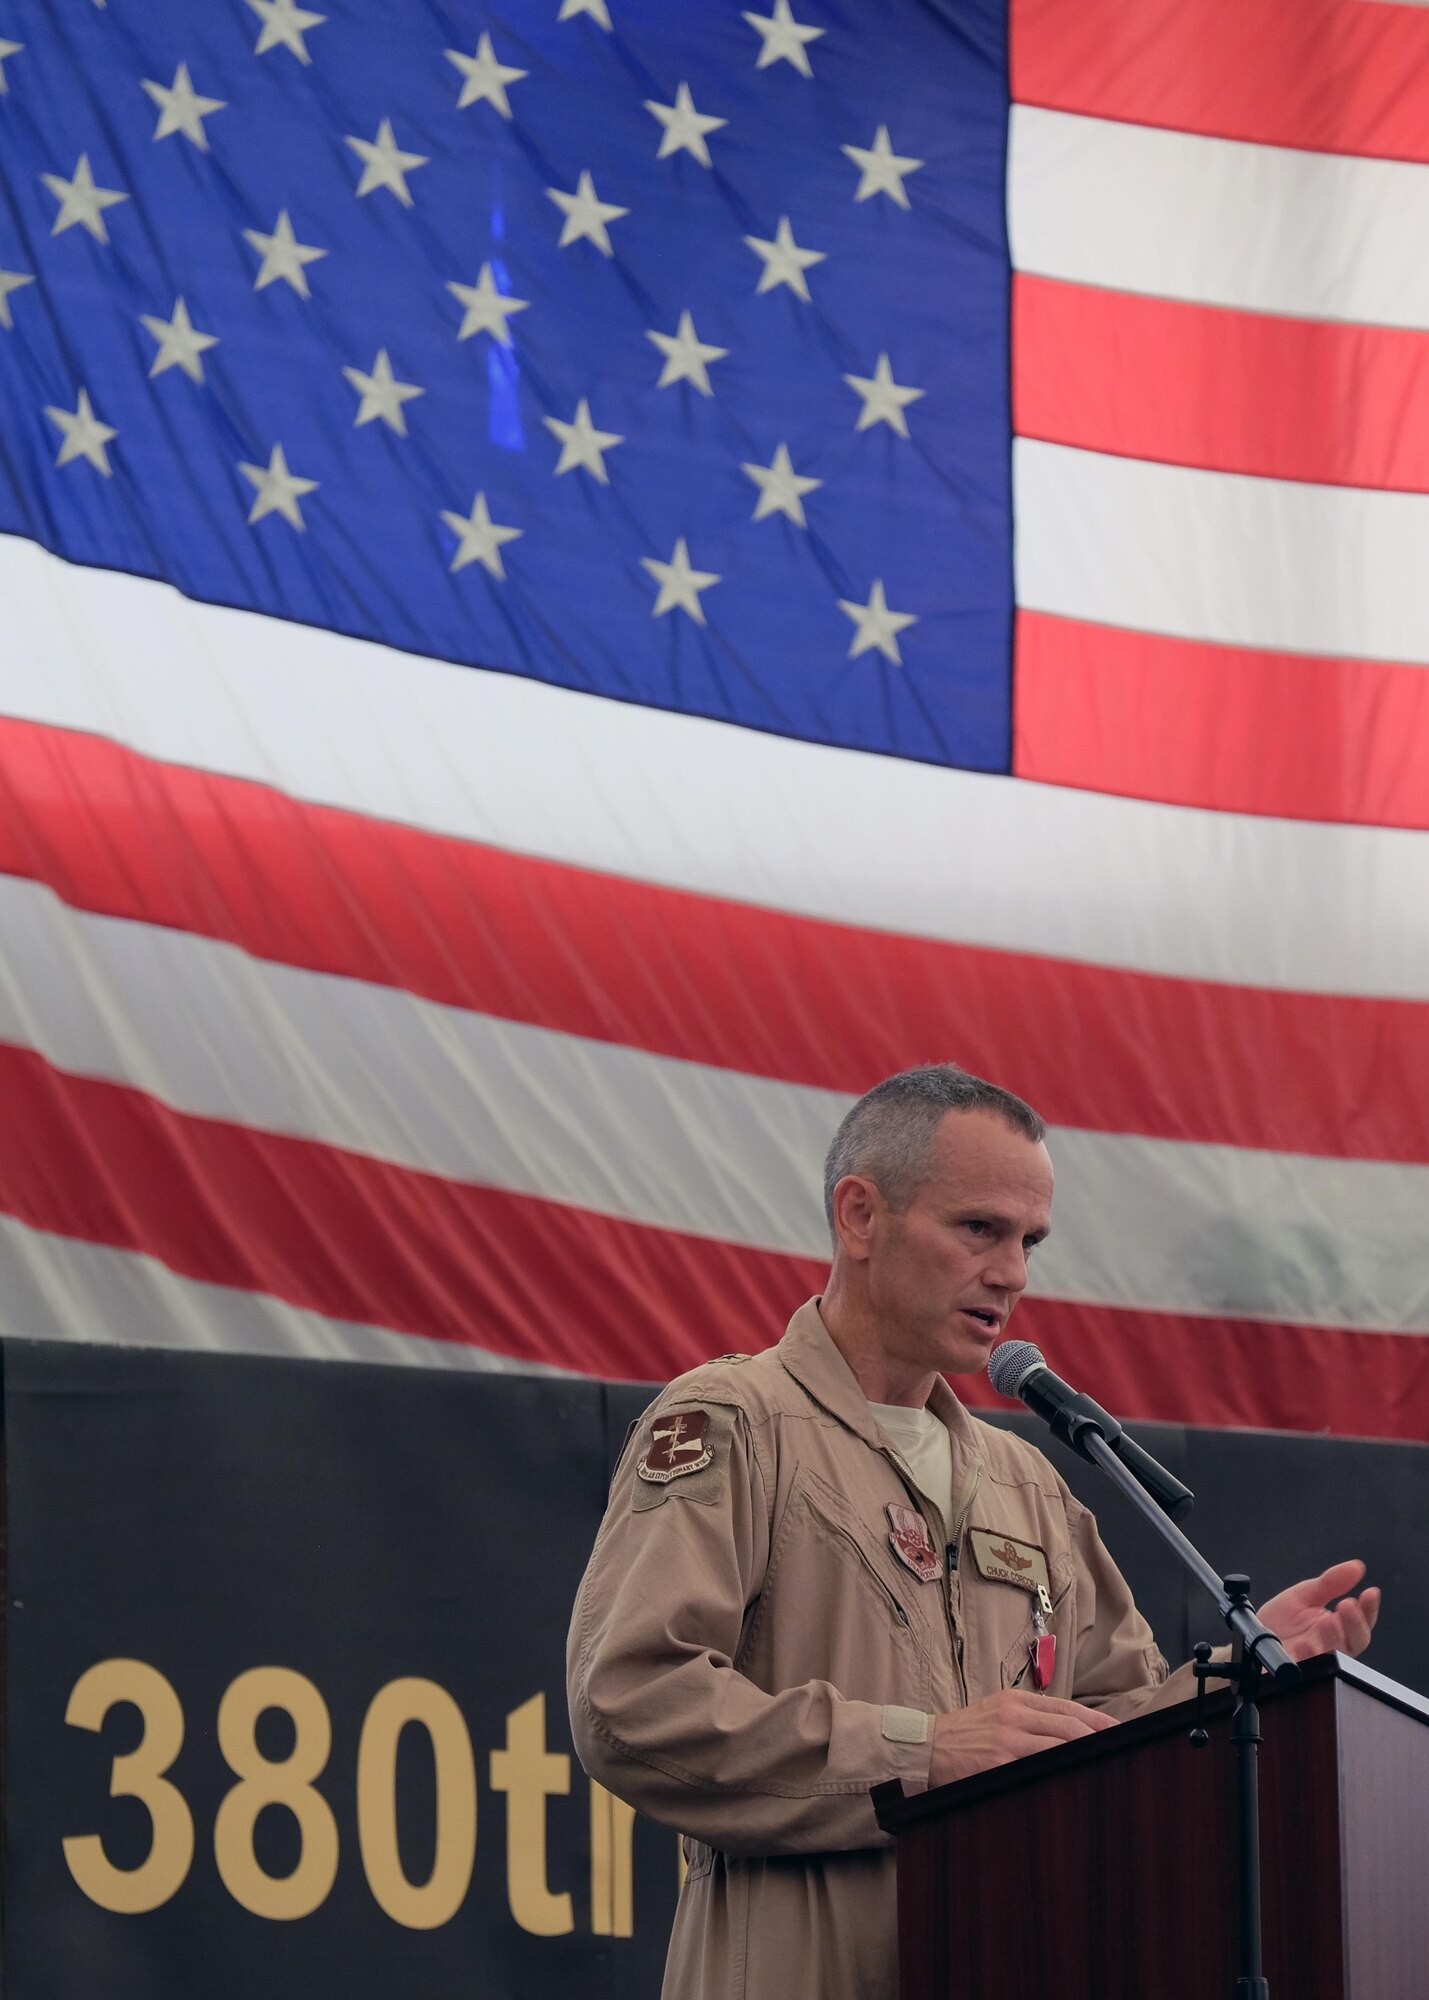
pixel 675 1145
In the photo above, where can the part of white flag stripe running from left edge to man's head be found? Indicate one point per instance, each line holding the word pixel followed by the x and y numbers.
pixel 371 1069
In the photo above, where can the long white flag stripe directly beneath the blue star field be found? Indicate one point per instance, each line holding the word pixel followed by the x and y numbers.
pixel 711 809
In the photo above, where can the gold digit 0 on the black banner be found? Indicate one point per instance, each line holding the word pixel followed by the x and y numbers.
pixel 437 1901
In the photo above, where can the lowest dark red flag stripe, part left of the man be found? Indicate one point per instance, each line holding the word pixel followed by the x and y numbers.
pixel 357 1239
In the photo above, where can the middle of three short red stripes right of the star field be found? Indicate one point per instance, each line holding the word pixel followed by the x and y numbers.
pixel 1228 391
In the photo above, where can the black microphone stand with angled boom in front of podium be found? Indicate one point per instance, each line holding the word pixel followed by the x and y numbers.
pixel 1258 1653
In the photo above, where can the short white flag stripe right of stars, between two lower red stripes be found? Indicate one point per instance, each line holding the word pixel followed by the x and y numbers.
pixel 1222 557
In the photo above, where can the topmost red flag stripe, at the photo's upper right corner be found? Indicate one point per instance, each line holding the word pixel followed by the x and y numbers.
pixel 1322 75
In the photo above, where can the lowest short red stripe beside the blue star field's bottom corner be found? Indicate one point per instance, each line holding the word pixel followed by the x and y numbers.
pixel 1222 727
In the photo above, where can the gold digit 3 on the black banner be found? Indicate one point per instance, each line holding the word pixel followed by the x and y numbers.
pixel 137 1775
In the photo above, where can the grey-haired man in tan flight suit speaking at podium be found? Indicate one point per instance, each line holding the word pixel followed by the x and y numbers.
pixel 820 1573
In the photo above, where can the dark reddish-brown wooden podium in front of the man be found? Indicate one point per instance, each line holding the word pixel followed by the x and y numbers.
pixel 1106 1869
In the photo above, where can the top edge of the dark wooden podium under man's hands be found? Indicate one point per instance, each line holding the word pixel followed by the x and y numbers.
pixel 898 1809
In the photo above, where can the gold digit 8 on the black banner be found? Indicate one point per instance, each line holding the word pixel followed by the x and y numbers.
pixel 265 1783
